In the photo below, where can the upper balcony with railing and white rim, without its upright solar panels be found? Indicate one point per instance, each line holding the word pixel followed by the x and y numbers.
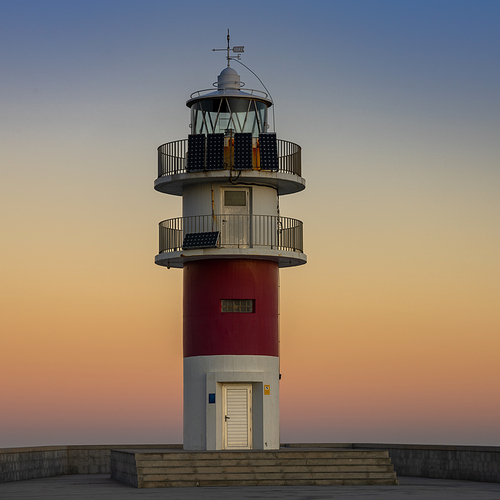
pixel 173 173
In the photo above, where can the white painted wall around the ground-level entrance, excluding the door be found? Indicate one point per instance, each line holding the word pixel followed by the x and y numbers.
pixel 203 422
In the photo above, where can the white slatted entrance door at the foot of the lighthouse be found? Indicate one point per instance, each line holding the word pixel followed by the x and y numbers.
pixel 237 416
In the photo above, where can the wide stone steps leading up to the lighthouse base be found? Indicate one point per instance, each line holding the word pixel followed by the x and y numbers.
pixel 284 467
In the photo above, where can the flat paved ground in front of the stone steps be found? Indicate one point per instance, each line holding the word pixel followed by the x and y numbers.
pixel 98 487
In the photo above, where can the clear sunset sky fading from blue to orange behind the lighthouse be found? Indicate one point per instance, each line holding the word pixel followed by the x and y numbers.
pixel 389 334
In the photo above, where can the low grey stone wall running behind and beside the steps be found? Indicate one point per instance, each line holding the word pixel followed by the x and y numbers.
pixel 472 463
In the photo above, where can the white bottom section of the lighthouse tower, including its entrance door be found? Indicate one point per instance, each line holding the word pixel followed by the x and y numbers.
pixel 231 402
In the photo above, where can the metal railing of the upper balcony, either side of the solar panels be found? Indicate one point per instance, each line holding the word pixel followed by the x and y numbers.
pixel 172 158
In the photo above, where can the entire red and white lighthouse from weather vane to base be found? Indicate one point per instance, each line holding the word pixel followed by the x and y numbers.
pixel 230 243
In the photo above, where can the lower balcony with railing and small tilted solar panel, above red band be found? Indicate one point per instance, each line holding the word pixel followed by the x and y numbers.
pixel 265 237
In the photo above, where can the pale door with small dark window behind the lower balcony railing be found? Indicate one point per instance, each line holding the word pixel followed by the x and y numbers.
pixel 235 217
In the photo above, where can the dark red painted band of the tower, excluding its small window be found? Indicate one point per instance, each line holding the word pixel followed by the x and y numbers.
pixel 207 330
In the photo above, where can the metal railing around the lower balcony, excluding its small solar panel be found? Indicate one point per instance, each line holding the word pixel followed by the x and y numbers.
pixel 235 231
